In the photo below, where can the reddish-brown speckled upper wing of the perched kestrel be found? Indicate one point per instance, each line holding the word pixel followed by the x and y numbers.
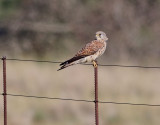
pixel 90 48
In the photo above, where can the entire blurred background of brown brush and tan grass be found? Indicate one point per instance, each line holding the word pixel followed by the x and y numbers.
pixel 55 30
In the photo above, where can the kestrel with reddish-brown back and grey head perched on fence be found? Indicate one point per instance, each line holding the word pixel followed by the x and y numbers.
pixel 90 52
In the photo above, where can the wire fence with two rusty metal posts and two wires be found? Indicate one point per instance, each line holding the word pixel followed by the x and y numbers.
pixel 96 101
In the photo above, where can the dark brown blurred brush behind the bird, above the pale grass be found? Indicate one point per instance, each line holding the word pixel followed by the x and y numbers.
pixel 52 27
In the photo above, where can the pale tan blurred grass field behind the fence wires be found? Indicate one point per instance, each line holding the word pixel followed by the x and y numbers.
pixel 116 84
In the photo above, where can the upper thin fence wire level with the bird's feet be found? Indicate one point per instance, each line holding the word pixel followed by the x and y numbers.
pixel 103 65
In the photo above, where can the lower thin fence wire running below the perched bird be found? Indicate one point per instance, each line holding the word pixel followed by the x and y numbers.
pixel 80 100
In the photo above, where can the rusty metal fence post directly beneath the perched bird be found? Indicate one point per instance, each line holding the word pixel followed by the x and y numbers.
pixel 96 94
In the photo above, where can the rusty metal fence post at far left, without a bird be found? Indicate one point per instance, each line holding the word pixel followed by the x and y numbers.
pixel 4 90
